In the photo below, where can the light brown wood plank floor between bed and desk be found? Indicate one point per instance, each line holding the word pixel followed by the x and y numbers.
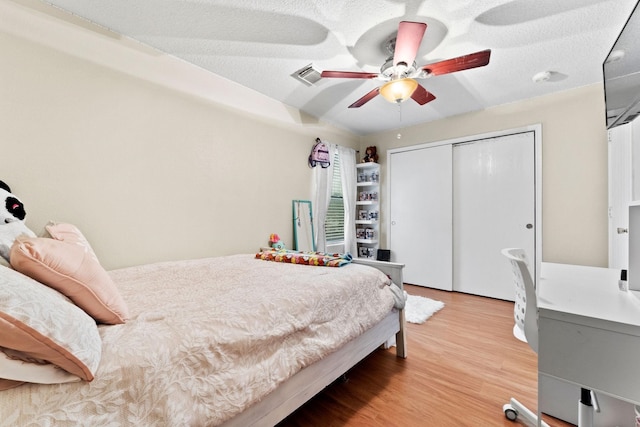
pixel 463 365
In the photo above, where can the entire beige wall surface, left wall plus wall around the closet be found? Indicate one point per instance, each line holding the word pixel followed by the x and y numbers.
pixel 155 159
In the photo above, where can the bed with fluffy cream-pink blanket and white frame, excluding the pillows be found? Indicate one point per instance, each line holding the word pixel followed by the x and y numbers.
pixel 233 341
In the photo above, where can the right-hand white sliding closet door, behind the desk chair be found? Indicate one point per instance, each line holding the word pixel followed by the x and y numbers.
pixel 494 208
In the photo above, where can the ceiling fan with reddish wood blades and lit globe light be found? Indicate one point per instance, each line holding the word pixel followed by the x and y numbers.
pixel 400 71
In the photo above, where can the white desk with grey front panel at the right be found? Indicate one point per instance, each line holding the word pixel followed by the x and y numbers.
pixel 589 330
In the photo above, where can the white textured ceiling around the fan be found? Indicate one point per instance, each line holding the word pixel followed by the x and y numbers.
pixel 260 44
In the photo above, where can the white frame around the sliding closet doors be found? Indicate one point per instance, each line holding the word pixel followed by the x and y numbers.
pixel 537 137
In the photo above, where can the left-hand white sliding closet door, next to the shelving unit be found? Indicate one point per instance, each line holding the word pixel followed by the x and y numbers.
pixel 420 201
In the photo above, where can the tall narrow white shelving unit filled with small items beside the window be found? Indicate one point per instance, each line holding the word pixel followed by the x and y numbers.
pixel 367 209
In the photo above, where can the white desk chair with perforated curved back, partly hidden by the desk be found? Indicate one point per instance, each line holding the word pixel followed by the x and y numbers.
pixel 526 319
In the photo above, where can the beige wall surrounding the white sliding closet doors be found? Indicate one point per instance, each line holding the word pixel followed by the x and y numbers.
pixel 574 165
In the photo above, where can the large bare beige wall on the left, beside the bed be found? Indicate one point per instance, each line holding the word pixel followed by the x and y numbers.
pixel 146 169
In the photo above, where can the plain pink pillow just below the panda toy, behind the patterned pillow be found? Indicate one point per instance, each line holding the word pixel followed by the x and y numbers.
pixel 70 266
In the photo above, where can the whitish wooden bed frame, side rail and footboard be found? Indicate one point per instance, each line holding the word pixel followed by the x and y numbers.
pixel 294 392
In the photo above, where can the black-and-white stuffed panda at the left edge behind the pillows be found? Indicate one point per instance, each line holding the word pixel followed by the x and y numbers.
pixel 12 215
